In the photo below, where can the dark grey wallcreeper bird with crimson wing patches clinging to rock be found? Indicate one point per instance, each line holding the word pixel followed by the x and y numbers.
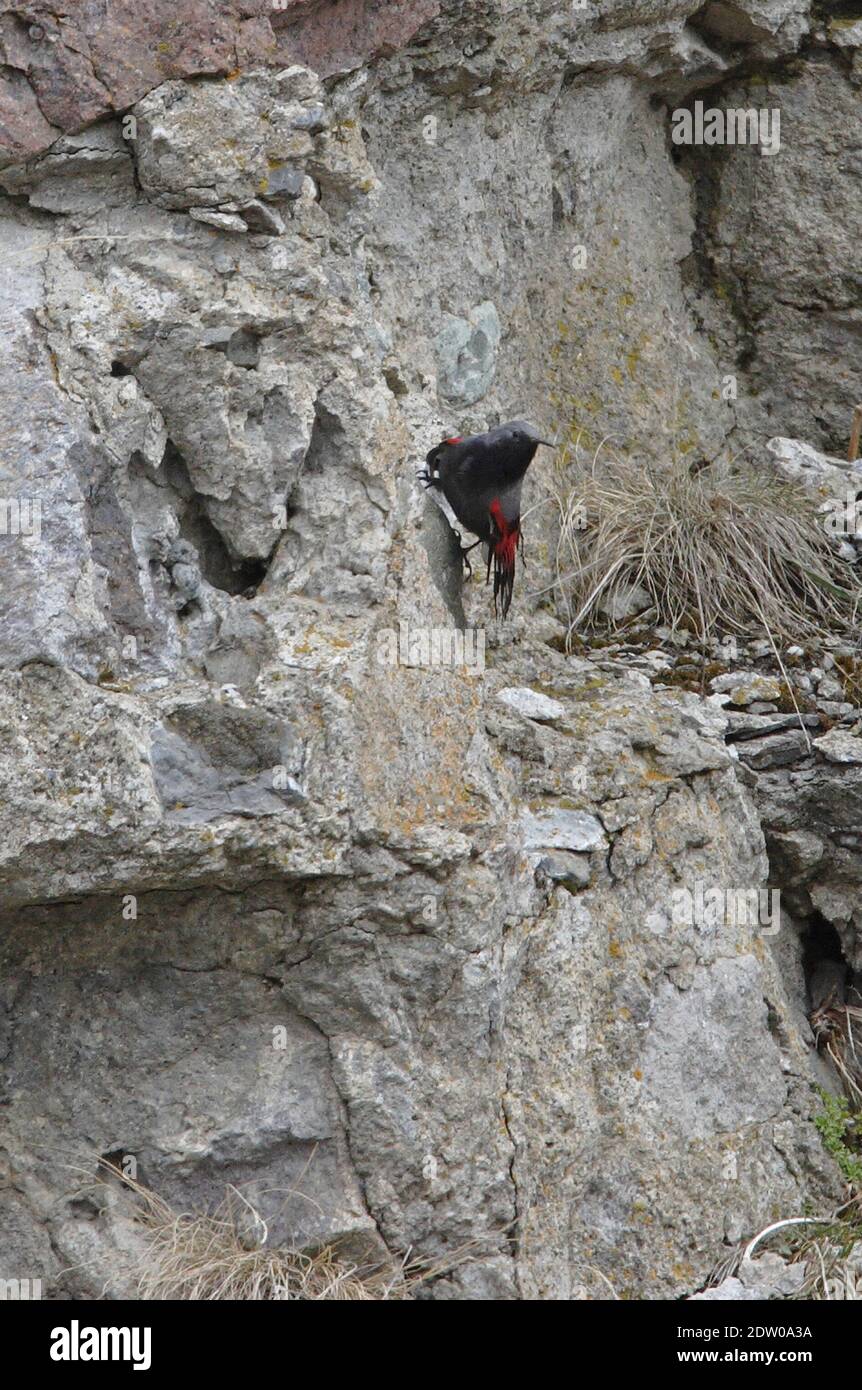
pixel 482 480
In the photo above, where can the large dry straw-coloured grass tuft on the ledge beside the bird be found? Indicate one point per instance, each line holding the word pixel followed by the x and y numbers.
pixel 721 550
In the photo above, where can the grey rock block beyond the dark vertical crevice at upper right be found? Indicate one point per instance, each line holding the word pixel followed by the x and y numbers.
pixel 786 236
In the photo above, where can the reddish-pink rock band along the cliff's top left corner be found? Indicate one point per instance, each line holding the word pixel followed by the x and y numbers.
pixel 66 65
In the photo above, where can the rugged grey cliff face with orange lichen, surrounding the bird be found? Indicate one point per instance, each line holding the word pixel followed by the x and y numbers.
pixel 394 946
